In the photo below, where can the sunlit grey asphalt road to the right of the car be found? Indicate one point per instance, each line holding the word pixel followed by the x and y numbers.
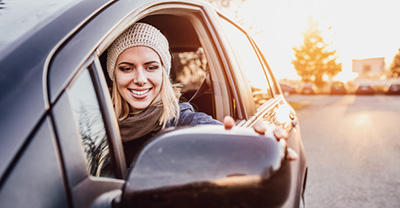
pixel 352 145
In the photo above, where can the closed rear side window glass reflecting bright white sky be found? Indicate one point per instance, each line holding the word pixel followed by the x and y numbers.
pixel 251 67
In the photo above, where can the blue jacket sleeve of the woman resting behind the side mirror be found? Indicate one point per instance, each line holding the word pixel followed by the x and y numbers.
pixel 188 117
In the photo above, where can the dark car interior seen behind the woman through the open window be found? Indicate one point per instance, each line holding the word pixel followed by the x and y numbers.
pixel 189 69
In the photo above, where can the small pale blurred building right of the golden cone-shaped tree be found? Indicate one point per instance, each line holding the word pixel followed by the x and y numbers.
pixel 369 67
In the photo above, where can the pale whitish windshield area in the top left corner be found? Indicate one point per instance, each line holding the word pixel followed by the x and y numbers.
pixel 19 17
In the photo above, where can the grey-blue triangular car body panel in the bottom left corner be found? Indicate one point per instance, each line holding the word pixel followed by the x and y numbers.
pixel 36 178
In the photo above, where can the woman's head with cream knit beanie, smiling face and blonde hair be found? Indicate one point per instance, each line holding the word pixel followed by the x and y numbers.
pixel 138 61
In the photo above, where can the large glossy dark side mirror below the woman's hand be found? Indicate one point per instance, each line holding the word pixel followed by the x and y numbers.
pixel 208 166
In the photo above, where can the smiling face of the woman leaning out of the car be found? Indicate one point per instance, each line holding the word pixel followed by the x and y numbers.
pixel 138 75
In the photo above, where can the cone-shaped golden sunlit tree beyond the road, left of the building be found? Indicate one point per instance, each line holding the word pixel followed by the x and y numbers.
pixel 313 59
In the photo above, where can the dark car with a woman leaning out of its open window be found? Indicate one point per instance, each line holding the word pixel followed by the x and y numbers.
pixel 60 140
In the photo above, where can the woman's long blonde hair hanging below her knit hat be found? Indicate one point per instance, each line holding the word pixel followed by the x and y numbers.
pixel 168 99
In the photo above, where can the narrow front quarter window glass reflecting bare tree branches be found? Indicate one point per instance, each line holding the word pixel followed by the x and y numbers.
pixel 91 125
